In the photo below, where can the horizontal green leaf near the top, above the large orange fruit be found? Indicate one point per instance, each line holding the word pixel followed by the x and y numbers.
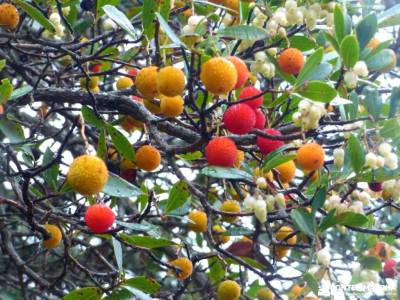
pixel 243 32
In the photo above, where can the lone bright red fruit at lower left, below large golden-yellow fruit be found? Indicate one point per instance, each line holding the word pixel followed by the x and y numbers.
pixel 99 218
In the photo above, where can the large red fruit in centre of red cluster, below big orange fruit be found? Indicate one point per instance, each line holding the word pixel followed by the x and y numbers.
pixel 239 118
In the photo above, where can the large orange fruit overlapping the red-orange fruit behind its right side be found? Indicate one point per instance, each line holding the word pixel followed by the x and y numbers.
pixel 218 75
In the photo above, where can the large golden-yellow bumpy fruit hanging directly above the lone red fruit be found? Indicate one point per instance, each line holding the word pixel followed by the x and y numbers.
pixel 87 175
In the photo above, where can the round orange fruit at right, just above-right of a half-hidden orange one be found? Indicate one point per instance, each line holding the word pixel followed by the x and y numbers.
pixel 310 157
